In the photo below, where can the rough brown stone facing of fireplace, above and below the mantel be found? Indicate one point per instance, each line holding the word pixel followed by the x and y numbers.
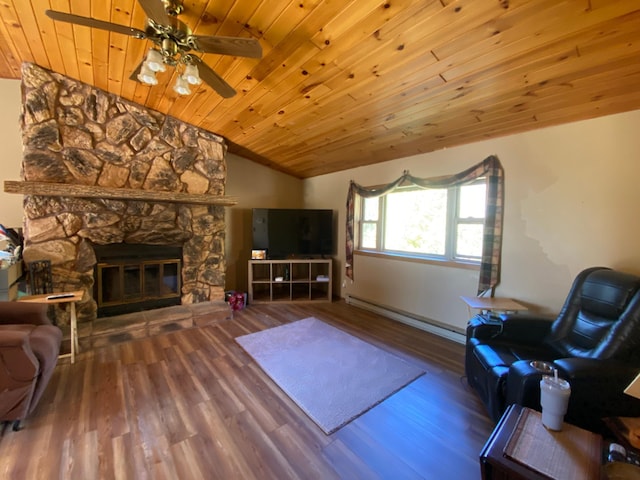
pixel 76 134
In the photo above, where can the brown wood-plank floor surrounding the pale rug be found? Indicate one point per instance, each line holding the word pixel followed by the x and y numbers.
pixel 192 404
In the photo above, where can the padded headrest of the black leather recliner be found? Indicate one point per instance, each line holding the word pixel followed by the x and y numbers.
pixel 606 293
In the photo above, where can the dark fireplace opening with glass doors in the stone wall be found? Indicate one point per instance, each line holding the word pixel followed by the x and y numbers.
pixel 133 277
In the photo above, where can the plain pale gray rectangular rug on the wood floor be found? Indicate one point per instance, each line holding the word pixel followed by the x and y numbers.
pixel 333 377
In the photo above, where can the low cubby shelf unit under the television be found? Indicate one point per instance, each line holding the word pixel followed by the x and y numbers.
pixel 290 280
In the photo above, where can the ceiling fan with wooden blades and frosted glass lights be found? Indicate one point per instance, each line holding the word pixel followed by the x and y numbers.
pixel 173 42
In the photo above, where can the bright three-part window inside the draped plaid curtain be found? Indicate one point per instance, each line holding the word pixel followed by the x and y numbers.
pixel 444 223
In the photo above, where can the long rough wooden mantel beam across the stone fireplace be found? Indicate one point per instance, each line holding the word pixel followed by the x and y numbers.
pixel 46 189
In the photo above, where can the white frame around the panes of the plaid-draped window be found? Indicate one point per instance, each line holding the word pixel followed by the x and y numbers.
pixel 453 220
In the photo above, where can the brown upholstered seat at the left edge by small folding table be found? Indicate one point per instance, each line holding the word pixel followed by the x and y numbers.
pixel 29 348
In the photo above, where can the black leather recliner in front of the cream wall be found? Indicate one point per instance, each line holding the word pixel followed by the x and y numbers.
pixel 594 343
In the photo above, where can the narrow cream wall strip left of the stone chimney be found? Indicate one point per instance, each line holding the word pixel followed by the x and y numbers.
pixel 11 158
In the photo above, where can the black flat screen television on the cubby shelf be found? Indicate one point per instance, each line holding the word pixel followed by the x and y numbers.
pixel 288 233
